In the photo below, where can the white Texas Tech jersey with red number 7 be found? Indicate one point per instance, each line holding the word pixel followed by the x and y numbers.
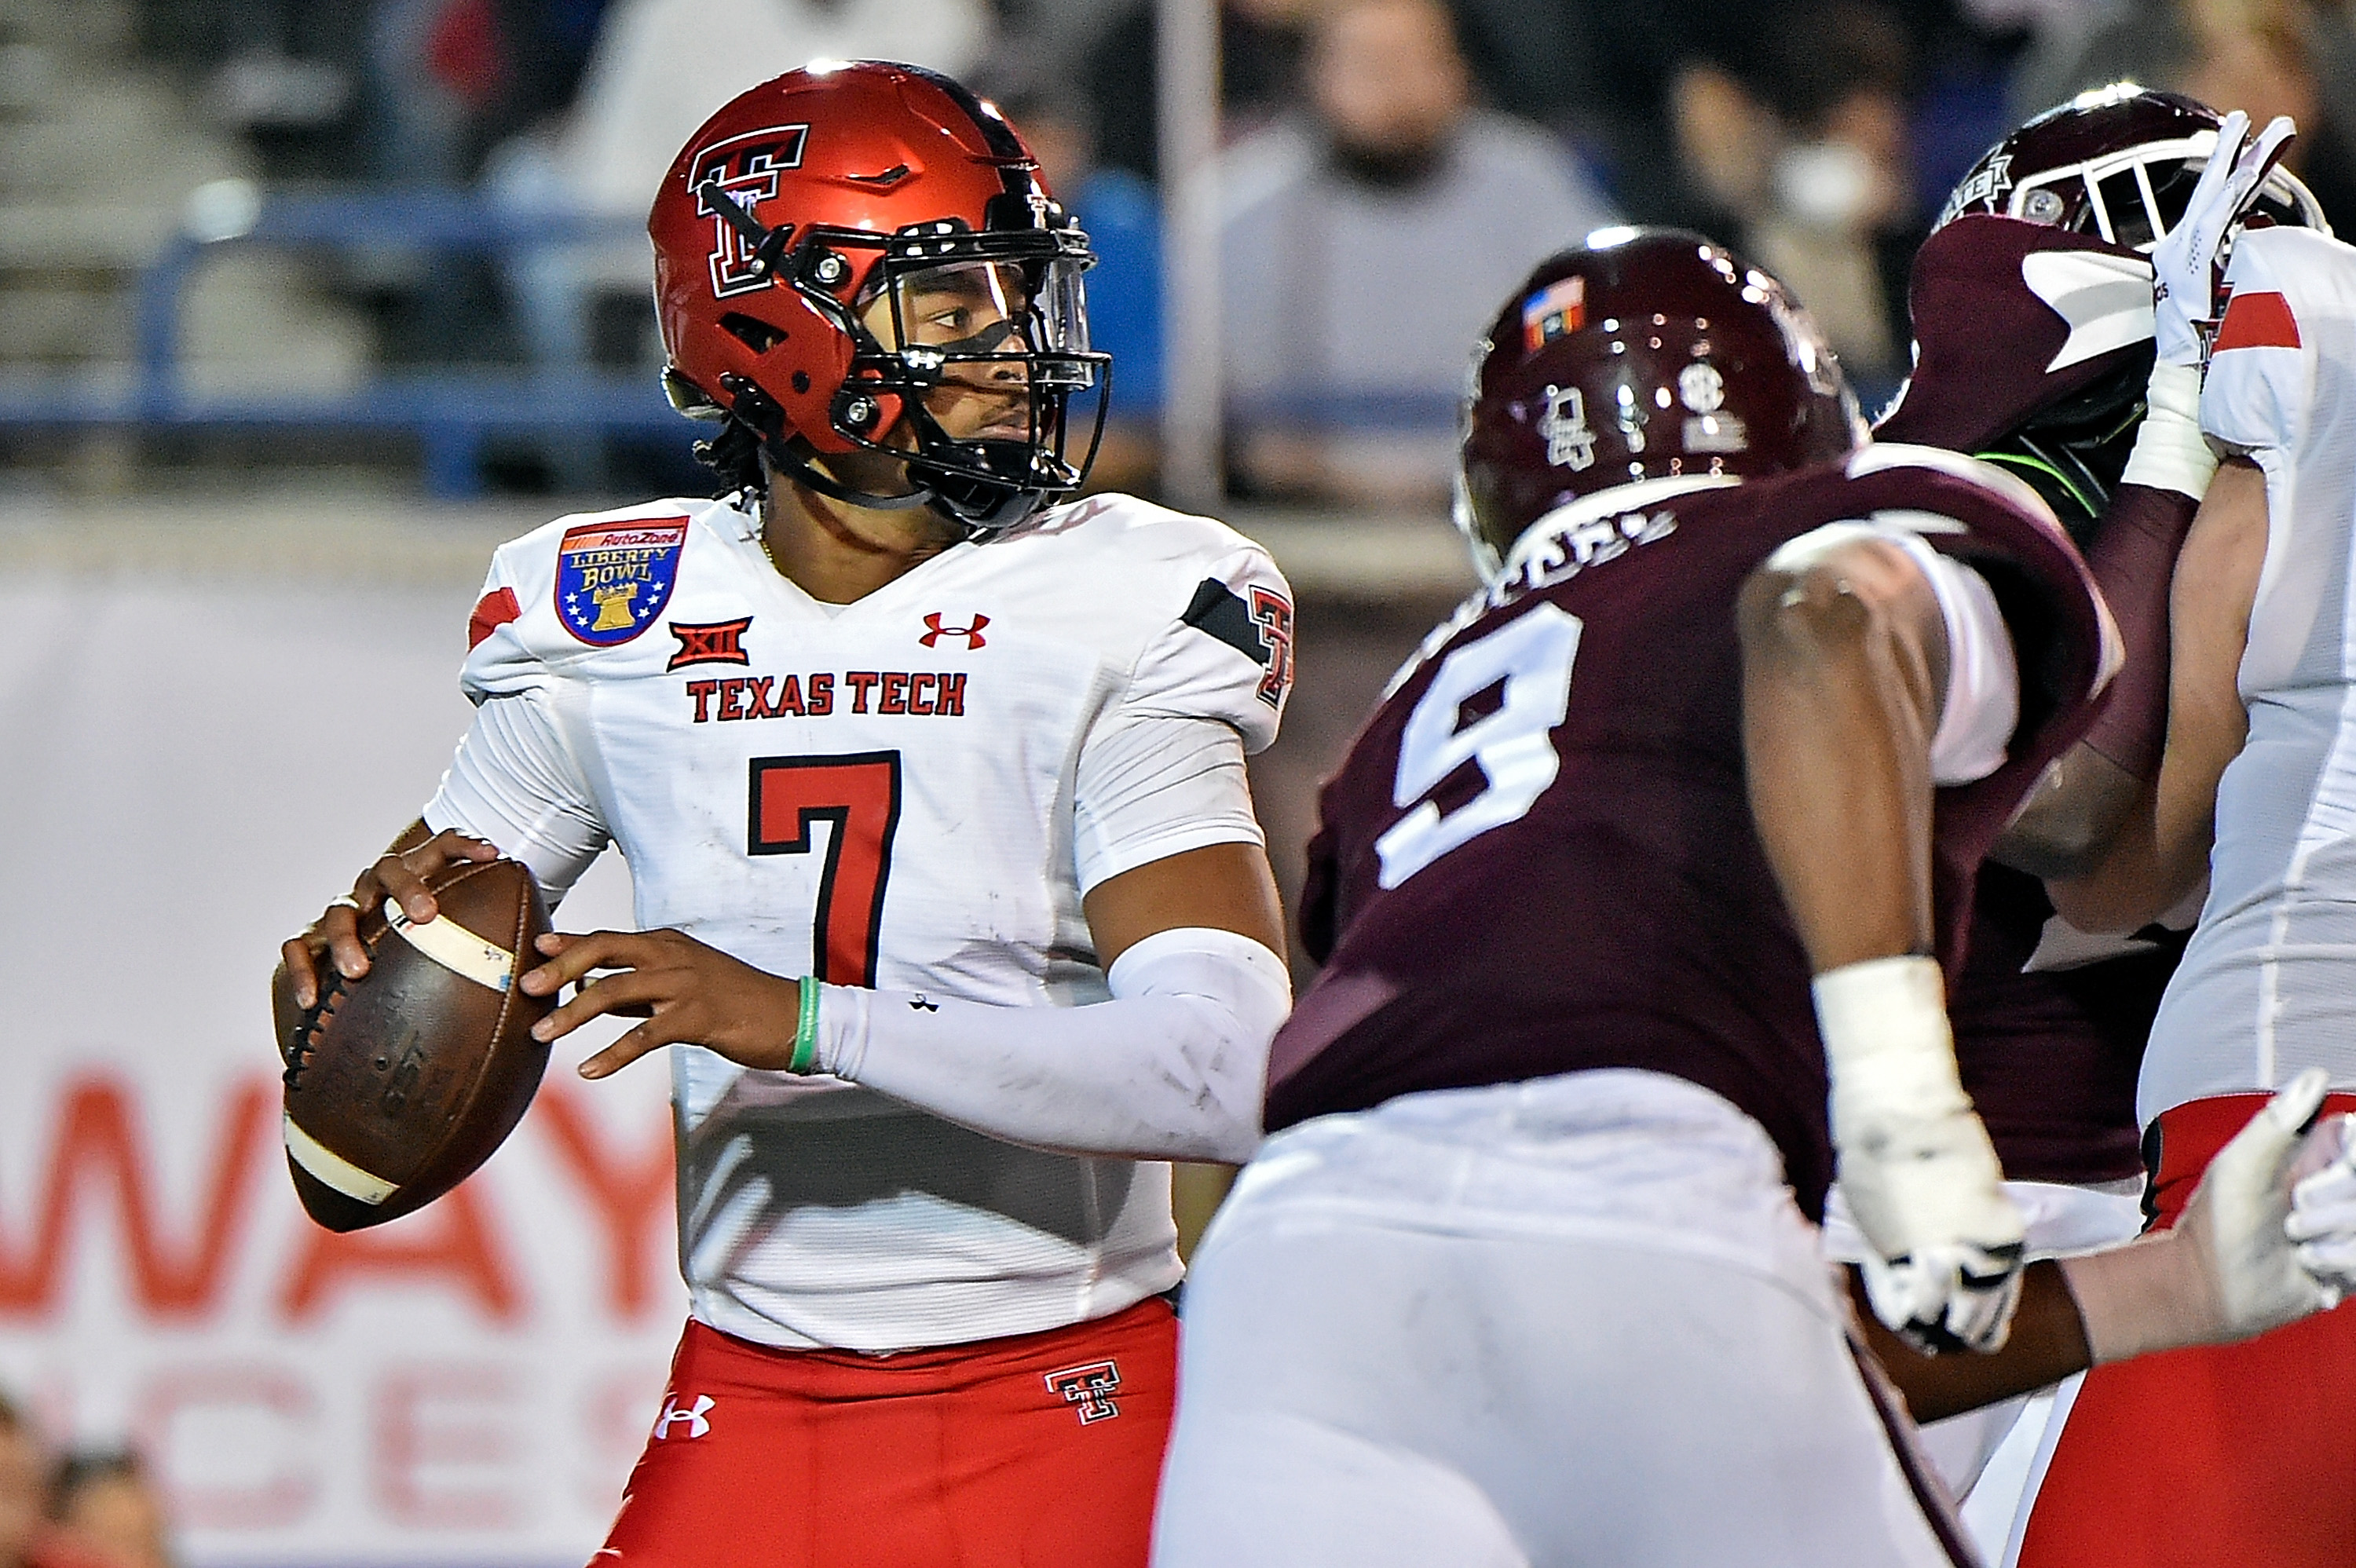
pixel 896 795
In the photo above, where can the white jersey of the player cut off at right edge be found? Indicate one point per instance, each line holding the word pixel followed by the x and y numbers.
pixel 2268 985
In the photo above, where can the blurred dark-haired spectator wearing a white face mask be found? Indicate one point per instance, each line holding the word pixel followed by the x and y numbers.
pixel 1794 142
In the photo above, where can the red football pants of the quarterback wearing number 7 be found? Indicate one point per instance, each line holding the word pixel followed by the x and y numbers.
pixel 1038 1451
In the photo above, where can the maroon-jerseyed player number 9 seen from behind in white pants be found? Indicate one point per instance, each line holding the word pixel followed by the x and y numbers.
pixel 1528 1270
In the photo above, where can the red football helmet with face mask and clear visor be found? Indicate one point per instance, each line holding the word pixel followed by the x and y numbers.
pixel 849 246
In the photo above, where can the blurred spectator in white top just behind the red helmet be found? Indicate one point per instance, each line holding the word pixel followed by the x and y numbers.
pixel 659 69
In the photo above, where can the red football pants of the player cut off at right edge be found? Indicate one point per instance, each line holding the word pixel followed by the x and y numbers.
pixel 2221 1454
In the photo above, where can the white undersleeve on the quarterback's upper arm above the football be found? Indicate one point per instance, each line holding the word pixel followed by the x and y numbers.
pixel 517 785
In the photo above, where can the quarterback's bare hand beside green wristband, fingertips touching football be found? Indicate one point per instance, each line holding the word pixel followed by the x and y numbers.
pixel 694 992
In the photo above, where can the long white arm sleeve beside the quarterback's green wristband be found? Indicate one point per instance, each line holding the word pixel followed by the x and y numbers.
pixel 1172 1068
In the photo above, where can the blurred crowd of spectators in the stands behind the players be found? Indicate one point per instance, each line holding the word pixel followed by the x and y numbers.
pixel 1391 166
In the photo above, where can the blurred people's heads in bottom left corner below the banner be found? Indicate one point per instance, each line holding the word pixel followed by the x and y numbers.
pixel 77 1510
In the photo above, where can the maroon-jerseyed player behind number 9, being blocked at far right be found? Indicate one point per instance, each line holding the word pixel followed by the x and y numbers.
pixel 2032 310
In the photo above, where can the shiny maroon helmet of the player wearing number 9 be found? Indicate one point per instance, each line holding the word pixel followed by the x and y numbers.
pixel 1643 354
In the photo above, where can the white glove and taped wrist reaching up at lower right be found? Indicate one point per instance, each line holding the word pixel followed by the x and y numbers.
pixel 2228 1270
